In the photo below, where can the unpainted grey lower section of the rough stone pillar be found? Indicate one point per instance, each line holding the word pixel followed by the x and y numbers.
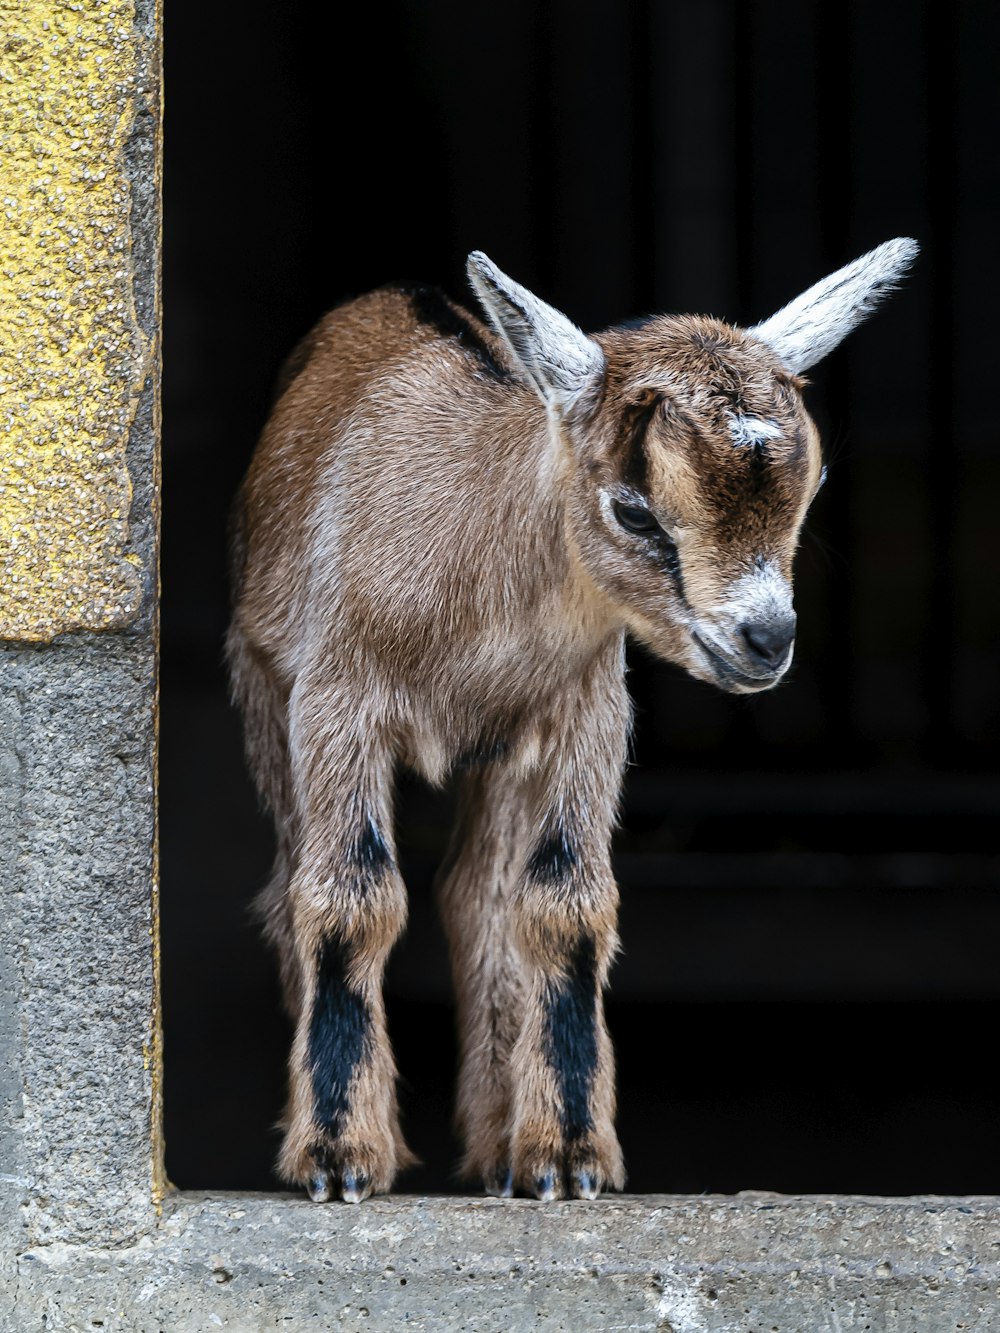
pixel 79 1095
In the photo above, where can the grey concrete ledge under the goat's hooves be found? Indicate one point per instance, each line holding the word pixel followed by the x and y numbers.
pixel 677 1264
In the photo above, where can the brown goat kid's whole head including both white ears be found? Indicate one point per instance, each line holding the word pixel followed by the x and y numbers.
pixel 693 459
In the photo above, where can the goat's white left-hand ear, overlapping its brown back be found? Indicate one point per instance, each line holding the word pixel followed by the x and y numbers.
pixel 555 357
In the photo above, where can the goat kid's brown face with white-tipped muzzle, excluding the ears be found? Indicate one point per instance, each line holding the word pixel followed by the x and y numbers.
pixel 693 478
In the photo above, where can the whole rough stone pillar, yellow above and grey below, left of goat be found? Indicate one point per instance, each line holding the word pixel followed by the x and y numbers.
pixel 79 519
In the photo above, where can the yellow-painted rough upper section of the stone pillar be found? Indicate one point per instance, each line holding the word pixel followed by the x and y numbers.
pixel 75 350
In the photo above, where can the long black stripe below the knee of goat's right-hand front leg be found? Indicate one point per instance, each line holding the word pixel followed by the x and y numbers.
pixel 571 1034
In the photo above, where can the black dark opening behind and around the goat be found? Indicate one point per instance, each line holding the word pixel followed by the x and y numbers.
pixel 809 992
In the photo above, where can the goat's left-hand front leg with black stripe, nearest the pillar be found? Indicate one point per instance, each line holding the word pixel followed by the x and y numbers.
pixel 347 910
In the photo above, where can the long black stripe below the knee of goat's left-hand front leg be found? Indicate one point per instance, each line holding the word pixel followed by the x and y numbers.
pixel 339 1035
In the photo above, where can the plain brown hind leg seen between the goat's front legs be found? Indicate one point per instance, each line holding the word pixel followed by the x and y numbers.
pixel 475 887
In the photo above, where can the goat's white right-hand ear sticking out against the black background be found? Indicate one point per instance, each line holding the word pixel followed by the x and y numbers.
pixel 811 326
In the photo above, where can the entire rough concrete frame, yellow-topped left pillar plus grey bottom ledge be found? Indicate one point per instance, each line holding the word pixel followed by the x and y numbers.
pixel 91 1236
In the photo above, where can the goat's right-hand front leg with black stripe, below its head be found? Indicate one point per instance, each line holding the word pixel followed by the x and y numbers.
pixel 565 916
